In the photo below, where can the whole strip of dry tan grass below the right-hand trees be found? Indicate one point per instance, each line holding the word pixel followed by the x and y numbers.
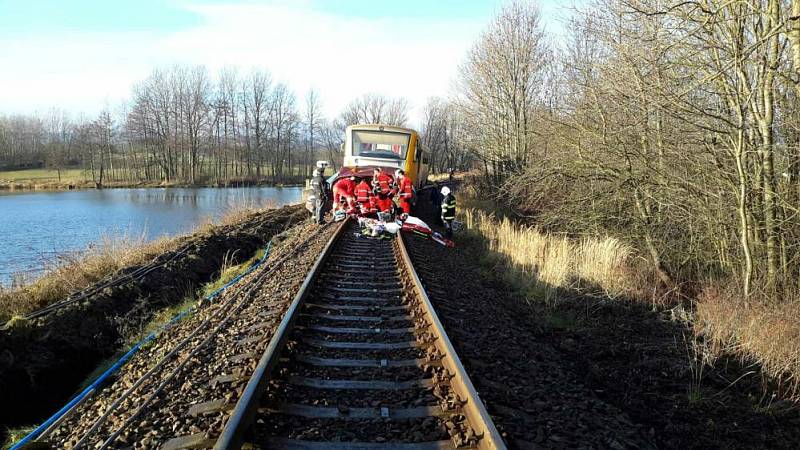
pixel 545 267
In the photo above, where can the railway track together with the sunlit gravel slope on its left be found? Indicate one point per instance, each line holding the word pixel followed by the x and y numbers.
pixel 357 359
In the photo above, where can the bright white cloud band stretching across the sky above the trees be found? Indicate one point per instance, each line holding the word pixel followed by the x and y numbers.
pixel 339 56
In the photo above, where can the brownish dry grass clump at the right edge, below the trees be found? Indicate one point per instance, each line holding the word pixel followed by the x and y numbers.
pixel 758 330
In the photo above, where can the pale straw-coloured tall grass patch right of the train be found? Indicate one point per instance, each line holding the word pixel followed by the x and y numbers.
pixel 548 263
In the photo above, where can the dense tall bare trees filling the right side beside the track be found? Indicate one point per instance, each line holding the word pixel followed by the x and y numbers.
pixel 675 125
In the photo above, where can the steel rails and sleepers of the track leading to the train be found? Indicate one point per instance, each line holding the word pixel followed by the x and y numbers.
pixel 360 361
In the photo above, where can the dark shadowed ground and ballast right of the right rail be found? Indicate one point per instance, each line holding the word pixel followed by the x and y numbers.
pixel 569 368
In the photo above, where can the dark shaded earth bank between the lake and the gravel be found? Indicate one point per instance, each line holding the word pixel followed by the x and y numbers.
pixel 44 359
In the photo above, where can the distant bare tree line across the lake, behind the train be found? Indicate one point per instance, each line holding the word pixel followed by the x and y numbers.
pixel 184 126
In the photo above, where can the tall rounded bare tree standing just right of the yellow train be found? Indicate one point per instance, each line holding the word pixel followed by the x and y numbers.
pixel 500 86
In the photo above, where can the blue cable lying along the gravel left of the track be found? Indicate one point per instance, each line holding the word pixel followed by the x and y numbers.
pixel 120 362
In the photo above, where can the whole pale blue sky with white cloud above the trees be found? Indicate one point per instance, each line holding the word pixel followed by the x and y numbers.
pixel 82 55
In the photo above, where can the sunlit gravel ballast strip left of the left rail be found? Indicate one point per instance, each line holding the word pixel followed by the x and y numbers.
pixel 185 383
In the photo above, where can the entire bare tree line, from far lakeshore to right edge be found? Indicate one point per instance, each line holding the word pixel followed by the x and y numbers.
pixel 674 125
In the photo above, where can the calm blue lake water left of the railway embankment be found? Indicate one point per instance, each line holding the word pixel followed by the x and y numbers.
pixel 36 227
